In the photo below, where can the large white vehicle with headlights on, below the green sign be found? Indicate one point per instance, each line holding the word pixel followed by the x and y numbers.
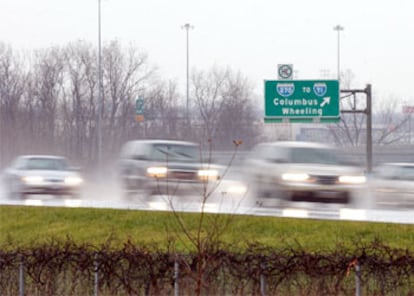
pixel 286 171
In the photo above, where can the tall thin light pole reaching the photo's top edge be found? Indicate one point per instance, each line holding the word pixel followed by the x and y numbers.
pixel 99 124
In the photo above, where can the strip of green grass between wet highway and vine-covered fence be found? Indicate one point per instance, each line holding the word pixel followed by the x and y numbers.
pixel 31 226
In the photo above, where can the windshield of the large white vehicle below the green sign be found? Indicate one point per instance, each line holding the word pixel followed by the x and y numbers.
pixel 314 155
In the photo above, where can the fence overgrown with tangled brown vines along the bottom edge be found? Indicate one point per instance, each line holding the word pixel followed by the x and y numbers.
pixel 70 269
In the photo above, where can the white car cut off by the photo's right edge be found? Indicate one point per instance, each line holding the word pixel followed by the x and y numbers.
pixel 393 184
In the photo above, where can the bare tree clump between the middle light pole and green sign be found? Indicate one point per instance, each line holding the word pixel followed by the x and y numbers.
pixel 224 99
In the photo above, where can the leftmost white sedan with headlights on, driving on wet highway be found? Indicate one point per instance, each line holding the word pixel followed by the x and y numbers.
pixel 42 174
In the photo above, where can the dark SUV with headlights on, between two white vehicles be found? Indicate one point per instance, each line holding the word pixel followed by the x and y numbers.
pixel 167 167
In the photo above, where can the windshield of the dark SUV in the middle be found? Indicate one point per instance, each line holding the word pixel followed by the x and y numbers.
pixel 174 152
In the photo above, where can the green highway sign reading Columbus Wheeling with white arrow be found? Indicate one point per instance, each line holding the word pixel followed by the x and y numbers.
pixel 302 100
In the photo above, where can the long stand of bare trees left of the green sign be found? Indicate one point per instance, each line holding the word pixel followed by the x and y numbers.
pixel 52 102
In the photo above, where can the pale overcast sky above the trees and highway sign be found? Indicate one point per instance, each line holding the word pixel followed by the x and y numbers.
pixel 377 43
